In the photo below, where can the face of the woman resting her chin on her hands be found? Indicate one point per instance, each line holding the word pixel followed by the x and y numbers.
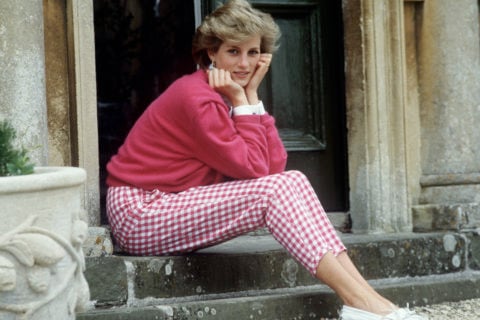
pixel 239 58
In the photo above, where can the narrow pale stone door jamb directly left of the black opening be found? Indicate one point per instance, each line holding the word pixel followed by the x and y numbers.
pixel 82 53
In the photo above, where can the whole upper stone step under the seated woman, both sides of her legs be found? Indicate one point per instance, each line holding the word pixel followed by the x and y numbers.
pixel 259 264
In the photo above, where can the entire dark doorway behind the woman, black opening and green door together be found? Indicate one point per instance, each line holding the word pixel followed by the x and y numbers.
pixel 144 45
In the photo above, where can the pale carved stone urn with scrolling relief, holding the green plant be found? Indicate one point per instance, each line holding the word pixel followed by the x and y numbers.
pixel 42 229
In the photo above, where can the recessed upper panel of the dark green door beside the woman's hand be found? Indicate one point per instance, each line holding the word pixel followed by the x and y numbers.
pixel 291 91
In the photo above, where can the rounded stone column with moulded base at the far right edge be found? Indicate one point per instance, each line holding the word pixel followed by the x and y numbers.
pixel 449 74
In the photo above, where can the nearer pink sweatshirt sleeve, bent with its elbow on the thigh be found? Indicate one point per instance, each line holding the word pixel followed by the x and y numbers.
pixel 235 146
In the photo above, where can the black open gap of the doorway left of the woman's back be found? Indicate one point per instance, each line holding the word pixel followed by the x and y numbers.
pixel 141 47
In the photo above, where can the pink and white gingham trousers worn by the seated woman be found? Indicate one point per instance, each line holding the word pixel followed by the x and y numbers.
pixel 159 223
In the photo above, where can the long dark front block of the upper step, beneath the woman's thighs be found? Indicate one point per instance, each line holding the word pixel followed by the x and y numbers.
pixel 199 274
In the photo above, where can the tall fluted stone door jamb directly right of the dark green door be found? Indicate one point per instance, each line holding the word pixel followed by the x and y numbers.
pixel 376 99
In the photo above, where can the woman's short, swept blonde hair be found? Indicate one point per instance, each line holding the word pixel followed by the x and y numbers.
pixel 235 21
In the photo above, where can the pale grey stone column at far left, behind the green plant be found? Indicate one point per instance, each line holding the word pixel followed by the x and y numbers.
pixel 22 76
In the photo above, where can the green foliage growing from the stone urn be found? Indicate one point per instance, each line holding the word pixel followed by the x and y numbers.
pixel 13 161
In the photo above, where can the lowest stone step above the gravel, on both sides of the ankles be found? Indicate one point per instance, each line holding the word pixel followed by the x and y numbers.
pixel 313 302
